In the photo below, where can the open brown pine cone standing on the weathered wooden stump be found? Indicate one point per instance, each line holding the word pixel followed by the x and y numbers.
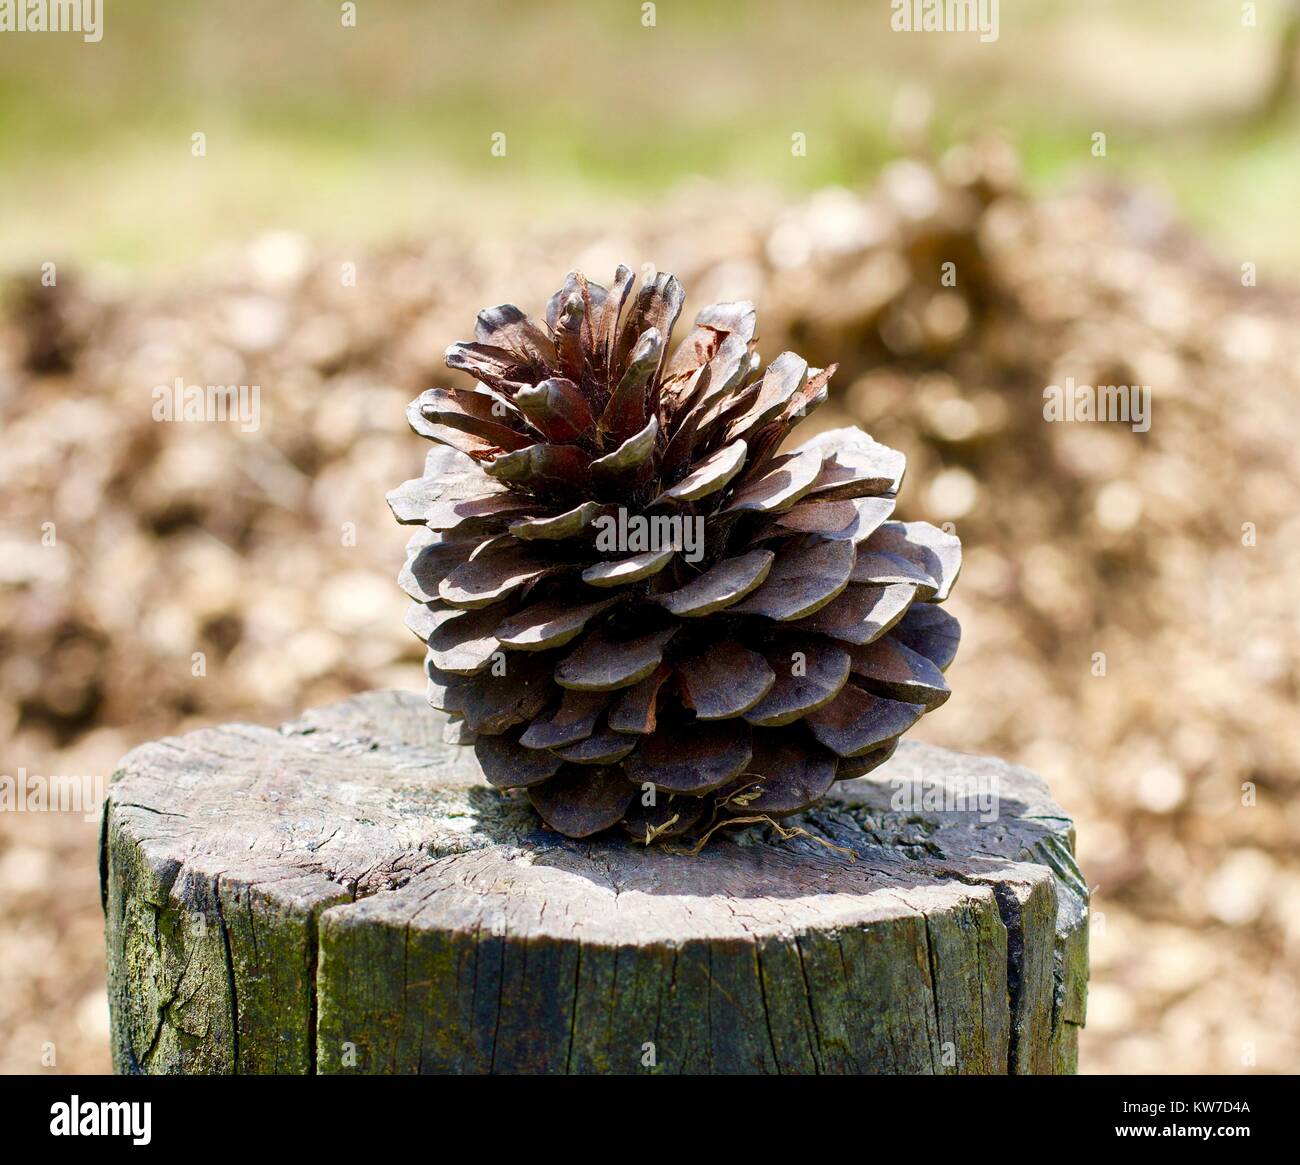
pixel 625 586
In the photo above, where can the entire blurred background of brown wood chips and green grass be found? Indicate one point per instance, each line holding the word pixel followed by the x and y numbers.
pixel 1129 600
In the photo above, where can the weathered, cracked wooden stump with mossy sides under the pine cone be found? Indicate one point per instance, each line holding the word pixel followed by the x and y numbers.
pixel 348 894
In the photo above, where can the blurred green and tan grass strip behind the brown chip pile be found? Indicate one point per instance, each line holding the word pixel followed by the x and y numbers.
pixel 383 131
